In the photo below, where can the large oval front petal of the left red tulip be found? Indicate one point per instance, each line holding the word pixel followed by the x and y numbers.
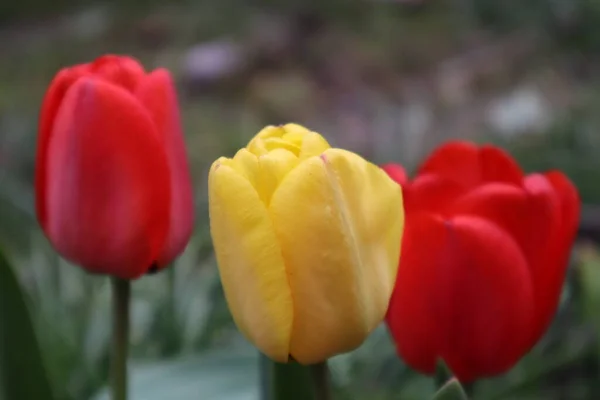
pixel 107 183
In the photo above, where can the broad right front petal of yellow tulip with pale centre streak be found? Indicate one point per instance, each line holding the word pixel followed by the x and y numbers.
pixel 339 220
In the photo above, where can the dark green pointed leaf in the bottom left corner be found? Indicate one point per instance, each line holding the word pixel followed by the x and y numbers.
pixel 22 372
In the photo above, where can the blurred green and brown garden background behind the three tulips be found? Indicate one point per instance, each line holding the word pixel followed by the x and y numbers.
pixel 388 79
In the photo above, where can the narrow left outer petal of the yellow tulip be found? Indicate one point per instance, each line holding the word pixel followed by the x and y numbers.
pixel 250 261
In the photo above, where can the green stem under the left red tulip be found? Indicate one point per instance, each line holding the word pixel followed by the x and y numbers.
pixel 121 293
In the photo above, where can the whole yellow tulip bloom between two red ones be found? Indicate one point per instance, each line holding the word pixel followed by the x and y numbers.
pixel 307 239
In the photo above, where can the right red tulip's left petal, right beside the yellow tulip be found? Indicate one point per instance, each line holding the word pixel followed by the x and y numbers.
pixel 410 316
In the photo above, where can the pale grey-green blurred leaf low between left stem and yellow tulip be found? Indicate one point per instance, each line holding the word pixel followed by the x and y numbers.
pixel 214 375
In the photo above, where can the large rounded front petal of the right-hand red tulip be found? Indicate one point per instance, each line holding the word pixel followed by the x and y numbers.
pixel 484 299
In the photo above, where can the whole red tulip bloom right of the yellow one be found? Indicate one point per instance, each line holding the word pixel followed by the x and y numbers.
pixel 484 256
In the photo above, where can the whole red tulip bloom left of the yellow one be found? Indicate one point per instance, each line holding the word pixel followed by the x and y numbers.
pixel 112 181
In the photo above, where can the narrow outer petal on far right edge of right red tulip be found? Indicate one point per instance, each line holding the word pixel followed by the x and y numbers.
pixel 551 275
